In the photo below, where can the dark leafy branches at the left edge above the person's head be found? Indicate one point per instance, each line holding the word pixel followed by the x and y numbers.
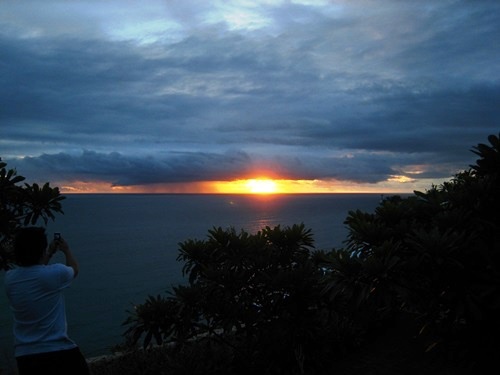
pixel 22 205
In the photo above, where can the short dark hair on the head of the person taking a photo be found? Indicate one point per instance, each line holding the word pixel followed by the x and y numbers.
pixel 29 245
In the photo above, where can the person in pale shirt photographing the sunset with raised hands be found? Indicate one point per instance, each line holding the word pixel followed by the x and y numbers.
pixel 35 293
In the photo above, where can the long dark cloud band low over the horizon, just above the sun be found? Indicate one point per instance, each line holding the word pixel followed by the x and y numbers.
pixel 126 170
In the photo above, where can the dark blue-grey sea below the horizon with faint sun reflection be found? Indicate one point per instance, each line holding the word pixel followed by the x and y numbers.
pixel 127 246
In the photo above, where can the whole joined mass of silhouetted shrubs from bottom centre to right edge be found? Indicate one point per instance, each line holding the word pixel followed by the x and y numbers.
pixel 273 304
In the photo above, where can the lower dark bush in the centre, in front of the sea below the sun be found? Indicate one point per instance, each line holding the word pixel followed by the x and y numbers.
pixel 257 296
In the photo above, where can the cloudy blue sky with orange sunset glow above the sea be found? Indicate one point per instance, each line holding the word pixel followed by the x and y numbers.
pixel 192 96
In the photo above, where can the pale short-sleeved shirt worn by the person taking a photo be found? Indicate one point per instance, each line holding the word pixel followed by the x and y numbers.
pixel 36 299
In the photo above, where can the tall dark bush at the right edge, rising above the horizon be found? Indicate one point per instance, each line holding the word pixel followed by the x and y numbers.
pixel 435 254
